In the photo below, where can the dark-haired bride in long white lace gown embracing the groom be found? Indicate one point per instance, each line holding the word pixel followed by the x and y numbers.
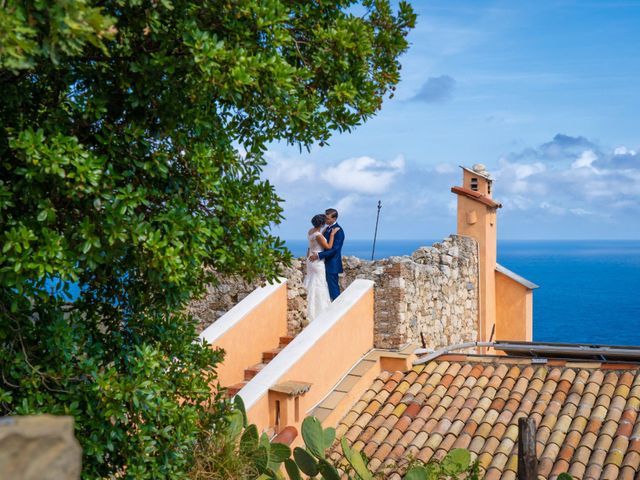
pixel 316 281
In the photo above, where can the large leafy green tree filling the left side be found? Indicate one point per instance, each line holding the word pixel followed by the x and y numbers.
pixel 132 136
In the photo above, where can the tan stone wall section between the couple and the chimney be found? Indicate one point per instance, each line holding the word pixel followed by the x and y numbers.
pixel 430 296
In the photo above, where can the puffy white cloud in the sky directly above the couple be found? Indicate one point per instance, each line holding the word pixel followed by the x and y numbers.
pixel 364 174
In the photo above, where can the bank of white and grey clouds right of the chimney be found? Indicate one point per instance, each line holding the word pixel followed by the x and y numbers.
pixel 563 178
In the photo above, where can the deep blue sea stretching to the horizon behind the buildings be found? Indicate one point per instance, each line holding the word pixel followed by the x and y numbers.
pixel 589 290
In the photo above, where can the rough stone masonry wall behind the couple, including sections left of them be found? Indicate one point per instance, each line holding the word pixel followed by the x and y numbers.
pixel 430 295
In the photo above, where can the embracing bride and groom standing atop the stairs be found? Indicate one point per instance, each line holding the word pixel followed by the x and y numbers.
pixel 324 262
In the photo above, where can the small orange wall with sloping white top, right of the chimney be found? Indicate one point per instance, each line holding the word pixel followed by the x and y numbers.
pixel 514 310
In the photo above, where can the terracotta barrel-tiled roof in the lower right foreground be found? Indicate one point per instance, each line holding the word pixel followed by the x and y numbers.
pixel 586 415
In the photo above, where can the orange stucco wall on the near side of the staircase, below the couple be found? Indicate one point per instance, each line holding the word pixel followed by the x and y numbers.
pixel 322 365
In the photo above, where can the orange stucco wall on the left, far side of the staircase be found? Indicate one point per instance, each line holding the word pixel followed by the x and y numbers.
pixel 258 331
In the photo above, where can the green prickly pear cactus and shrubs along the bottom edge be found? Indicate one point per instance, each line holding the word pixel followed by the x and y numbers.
pixel 254 457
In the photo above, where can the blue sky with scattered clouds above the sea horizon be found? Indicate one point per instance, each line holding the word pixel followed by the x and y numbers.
pixel 545 93
